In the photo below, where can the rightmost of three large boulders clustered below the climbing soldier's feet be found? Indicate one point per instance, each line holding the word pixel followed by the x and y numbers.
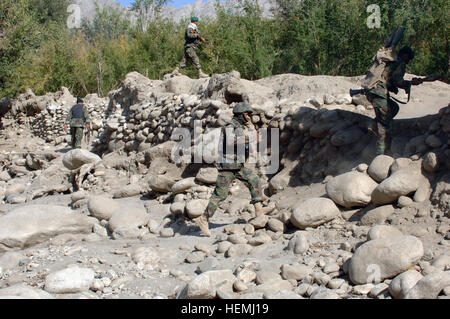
pixel 402 182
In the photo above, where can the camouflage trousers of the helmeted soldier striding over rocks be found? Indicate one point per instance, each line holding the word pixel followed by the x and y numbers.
pixel 224 181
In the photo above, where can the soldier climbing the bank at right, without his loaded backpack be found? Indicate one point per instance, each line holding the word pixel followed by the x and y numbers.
pixel 385 108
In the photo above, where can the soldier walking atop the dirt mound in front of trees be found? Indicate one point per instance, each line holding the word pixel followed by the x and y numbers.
pixel 193 38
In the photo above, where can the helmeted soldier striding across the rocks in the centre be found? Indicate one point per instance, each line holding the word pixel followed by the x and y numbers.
pixel 231 166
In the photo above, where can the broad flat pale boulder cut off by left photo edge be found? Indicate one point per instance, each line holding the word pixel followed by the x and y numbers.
pixel 30 225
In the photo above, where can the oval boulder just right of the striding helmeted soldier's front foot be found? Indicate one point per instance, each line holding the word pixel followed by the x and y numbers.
pixel 314 212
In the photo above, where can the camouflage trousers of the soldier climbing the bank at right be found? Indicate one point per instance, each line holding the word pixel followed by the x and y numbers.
pixel 385 111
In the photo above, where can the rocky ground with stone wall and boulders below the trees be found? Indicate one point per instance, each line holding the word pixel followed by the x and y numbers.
pixel 115 220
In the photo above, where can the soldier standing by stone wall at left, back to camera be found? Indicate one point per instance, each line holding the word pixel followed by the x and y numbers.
pixel 78 118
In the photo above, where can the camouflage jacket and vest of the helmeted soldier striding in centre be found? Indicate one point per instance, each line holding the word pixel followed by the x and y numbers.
pixel 235 144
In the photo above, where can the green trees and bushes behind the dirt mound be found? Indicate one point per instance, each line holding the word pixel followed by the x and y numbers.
pixel 309 37
